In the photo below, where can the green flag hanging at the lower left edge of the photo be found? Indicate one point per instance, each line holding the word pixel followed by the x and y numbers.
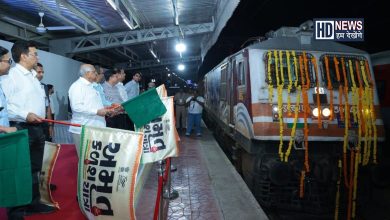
pixel 15 169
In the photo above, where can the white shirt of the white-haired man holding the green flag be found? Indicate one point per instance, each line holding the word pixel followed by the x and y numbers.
pixel 85 102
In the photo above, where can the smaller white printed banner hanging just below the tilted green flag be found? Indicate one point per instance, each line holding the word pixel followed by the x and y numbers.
pixel 160 140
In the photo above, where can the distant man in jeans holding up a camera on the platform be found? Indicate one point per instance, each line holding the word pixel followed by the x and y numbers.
pixel 195 105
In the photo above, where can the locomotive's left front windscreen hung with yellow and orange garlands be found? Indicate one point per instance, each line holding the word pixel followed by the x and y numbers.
pixel 279 69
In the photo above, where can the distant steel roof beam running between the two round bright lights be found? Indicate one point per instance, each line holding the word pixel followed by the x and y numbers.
pixel 163 62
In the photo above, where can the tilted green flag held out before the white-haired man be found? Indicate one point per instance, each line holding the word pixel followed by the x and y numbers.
pixel 144 108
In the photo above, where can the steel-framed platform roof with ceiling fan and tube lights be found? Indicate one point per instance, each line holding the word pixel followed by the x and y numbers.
pixel 100 34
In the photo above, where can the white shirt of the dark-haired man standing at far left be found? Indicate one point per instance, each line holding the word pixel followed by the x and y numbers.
pixel 24 94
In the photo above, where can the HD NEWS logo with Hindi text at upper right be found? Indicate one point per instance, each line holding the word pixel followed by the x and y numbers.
pixel 339 29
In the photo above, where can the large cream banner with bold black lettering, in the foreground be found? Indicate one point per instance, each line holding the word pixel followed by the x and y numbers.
pixel 108 167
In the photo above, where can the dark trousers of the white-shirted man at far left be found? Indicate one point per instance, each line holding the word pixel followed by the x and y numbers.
pixel 36 143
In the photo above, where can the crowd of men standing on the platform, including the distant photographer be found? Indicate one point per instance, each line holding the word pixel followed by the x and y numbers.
pixel 94 99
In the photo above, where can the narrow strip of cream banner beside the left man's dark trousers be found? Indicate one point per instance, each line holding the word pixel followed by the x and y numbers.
pixel 50 155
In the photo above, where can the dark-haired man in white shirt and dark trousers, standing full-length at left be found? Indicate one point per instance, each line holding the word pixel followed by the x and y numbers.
pixel 26 109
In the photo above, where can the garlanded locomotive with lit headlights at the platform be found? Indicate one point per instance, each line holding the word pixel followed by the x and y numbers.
pixel 304 119
